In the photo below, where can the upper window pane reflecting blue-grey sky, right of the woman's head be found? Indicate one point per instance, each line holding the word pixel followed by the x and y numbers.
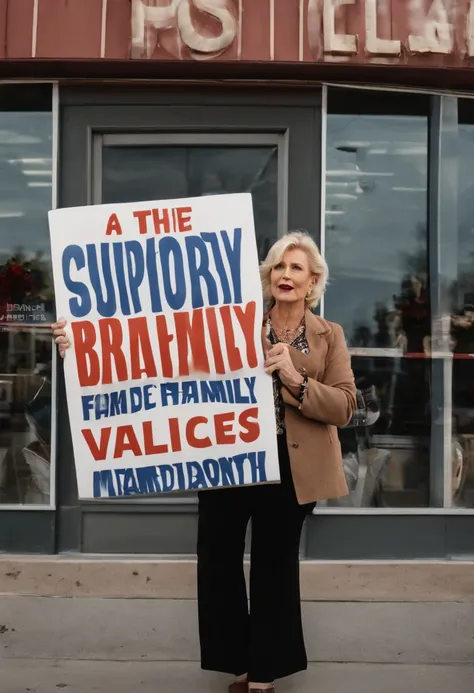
pixel 376 219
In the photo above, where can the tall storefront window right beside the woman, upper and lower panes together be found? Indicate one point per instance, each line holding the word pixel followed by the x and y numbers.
pixel 376 244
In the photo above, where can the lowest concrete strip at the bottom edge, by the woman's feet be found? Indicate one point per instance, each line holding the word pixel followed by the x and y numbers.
pixel 41 676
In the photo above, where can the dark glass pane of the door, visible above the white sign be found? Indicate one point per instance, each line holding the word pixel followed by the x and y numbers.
pixel 153 172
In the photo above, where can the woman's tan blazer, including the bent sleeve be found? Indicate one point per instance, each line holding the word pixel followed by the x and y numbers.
pixel 313 442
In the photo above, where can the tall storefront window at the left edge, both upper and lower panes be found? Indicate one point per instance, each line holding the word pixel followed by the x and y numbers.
pixel 26 295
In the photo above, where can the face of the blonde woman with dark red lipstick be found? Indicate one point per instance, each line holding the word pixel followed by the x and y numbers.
pixel 291 278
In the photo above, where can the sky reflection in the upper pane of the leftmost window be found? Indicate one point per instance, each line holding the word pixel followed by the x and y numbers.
pixel 26 289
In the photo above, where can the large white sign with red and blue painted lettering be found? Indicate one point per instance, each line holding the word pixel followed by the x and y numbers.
pixel 165 382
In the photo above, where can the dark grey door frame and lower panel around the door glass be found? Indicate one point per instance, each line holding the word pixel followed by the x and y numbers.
pixel 290 118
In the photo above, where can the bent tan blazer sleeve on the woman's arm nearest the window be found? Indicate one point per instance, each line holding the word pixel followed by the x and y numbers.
pixel 333 400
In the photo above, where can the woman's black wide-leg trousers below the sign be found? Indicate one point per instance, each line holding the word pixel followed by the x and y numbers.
pixel 267 642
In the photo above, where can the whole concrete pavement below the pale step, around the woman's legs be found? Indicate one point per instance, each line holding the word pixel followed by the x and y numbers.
pixel 141 645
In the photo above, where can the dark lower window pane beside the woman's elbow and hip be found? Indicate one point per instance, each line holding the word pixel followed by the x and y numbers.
pixel 386 459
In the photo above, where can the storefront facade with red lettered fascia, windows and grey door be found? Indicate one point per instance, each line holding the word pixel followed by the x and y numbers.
pixel 351 119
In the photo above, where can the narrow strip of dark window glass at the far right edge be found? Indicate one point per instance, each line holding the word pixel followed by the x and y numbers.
pixel 462 322
